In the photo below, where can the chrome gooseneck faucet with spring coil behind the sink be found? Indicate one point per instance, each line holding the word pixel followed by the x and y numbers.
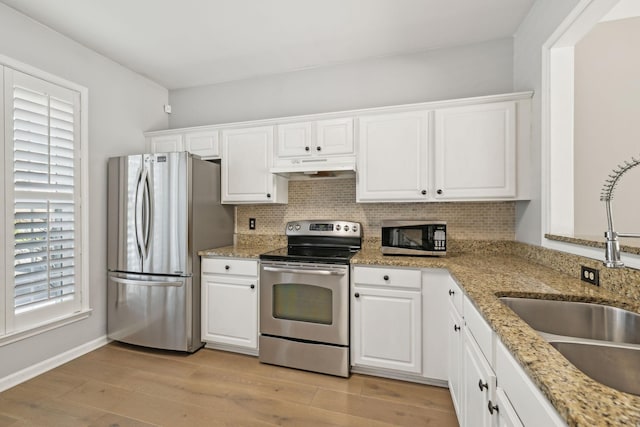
pixel 612 248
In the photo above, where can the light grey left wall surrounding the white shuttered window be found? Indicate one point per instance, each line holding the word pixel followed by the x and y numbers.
pixel 122 105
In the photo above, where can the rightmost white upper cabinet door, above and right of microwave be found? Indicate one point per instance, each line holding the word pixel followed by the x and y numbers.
pixel 475 151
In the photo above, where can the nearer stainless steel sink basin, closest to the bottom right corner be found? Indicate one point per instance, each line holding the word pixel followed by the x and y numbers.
pixel 616 367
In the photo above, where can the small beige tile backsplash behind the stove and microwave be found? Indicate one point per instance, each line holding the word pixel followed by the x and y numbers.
pixel 336 199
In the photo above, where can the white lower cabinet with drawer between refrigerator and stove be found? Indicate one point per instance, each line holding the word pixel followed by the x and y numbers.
pixel 230 304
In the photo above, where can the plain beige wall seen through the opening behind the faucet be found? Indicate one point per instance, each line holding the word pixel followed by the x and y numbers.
pixel 606 125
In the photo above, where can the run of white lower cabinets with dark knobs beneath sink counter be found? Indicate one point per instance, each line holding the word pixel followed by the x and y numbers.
pixel 488 387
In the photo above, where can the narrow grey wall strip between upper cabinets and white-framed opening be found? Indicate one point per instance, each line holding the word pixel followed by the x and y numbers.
pixel 541 21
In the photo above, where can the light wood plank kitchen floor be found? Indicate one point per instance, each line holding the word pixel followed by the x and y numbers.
pixel 118 385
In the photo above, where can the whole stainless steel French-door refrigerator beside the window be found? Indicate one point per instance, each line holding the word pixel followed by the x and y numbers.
pixel 162 209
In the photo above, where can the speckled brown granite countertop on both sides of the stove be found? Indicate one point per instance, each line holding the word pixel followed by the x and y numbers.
pixel 485 276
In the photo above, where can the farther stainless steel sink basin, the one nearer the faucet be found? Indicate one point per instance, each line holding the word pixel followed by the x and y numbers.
pixel 578 319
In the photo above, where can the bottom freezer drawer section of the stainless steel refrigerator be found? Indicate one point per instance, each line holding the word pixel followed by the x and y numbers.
pixel 153 311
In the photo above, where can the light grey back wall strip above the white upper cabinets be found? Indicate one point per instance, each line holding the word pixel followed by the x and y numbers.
pixel 480 69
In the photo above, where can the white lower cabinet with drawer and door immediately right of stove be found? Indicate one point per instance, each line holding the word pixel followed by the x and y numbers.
pixel 387 319
